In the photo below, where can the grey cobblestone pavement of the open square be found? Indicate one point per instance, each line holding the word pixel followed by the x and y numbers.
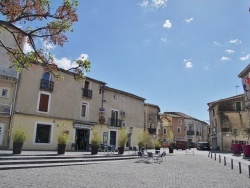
pixel 177 171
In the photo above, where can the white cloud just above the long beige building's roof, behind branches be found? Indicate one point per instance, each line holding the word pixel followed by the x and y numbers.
pixel 66 63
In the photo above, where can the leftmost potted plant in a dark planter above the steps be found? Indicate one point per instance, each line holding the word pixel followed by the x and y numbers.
pixel 18 136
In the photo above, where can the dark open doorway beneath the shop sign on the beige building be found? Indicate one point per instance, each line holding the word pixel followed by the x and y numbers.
pixel 82 139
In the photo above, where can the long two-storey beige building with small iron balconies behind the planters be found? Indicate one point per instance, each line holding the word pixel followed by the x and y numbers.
pixel 44 105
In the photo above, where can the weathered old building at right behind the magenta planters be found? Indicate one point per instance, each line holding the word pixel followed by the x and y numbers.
pixel 225 115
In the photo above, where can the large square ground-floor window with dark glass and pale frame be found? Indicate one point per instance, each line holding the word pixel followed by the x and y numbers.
pixel 43 133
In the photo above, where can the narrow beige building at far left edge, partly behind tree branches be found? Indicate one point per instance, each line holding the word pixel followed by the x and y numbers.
pixel 8 84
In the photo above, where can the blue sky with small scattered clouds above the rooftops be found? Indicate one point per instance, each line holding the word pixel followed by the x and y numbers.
pixel 177 54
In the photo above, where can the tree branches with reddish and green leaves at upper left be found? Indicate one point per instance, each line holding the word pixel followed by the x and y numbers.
pixel 39 20
